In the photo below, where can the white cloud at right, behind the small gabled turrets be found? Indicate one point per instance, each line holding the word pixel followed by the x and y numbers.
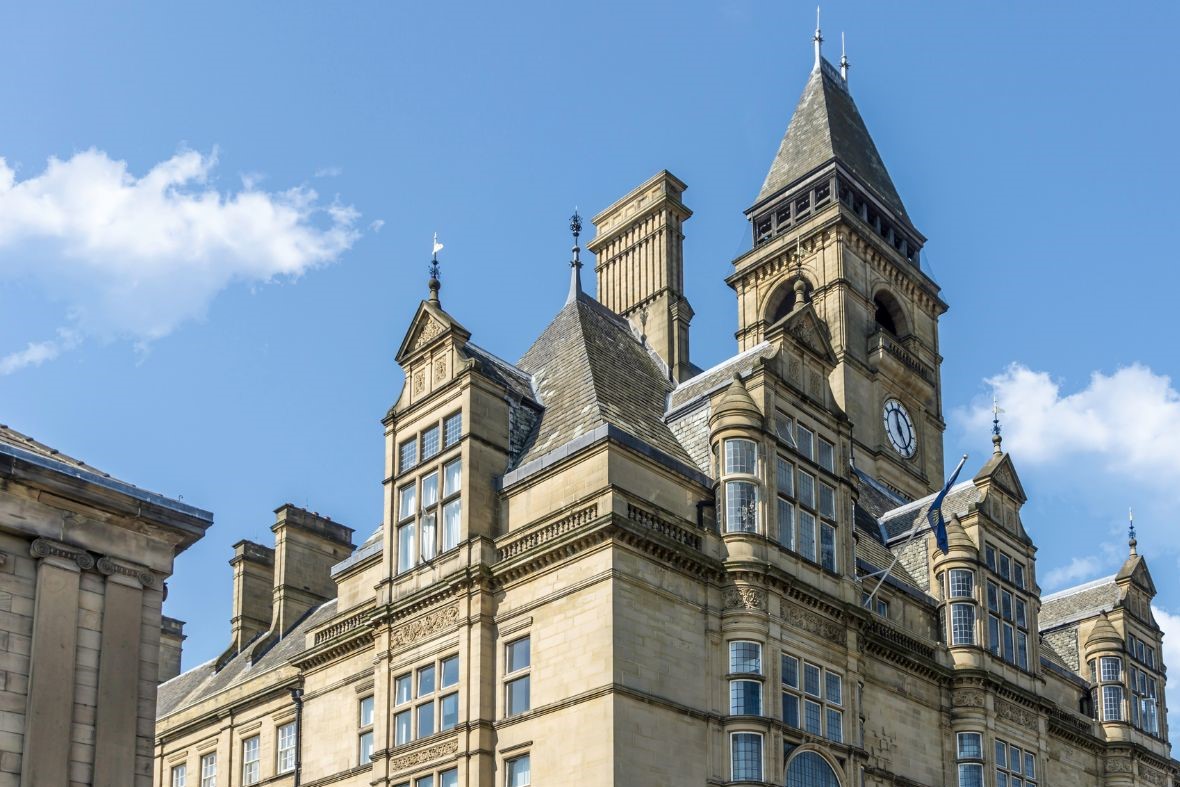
pixel 1124 418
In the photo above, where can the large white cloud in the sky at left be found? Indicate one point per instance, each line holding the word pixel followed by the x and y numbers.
pixel 136 257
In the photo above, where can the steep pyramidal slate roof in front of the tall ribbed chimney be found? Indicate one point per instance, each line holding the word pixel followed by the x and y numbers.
pixel 591 371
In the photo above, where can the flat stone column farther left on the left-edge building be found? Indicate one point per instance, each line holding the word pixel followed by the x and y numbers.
pixel 53 663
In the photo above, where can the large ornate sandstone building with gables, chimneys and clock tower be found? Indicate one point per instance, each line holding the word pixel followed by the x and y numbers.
pixel 605 566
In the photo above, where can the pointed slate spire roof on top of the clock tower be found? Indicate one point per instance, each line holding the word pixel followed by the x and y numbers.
pixel 825 127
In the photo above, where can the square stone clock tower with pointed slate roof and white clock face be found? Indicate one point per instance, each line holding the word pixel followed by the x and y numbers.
pixel 829 218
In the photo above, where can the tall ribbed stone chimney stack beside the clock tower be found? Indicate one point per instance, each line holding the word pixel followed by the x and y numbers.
pixel 640 251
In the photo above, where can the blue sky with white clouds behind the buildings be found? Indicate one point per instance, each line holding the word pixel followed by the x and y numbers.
pixel 215 224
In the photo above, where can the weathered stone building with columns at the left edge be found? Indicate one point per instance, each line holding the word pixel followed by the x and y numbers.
pixel 83 562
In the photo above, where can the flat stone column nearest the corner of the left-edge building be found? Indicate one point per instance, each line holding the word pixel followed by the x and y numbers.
pixel 119 674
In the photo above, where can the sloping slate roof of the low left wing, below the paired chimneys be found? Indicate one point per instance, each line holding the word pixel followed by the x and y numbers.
pixel 204 683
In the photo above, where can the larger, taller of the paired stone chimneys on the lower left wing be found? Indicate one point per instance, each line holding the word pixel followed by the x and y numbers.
pixel 307 546
